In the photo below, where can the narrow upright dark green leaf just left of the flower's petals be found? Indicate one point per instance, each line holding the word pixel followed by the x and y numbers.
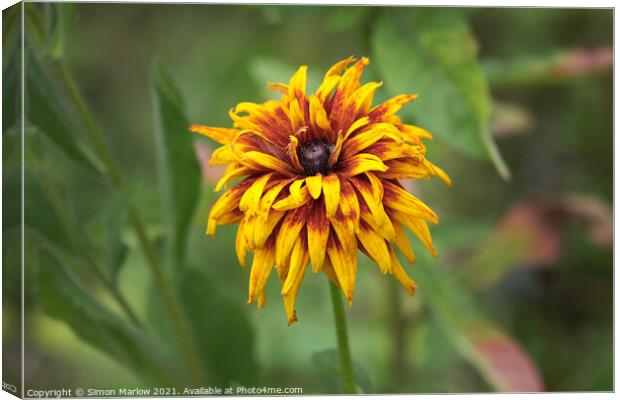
pixel 178 167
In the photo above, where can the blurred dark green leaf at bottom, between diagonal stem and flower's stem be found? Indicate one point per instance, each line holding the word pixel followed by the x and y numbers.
pixel 221 328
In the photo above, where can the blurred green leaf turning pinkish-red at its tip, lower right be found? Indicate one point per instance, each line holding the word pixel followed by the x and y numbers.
pixel 500 359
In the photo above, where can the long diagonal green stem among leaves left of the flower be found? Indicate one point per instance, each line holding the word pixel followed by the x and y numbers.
pixel 179 324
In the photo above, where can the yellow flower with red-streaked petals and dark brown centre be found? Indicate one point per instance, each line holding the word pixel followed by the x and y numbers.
pixel 320 182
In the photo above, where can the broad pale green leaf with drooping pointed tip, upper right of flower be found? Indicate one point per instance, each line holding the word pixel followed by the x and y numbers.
pixel 431 52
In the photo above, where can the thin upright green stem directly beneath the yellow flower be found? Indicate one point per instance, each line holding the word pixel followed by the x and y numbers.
pixel 346 365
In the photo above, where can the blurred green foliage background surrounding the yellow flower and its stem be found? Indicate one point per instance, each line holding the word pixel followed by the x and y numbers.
pixel 519 101
